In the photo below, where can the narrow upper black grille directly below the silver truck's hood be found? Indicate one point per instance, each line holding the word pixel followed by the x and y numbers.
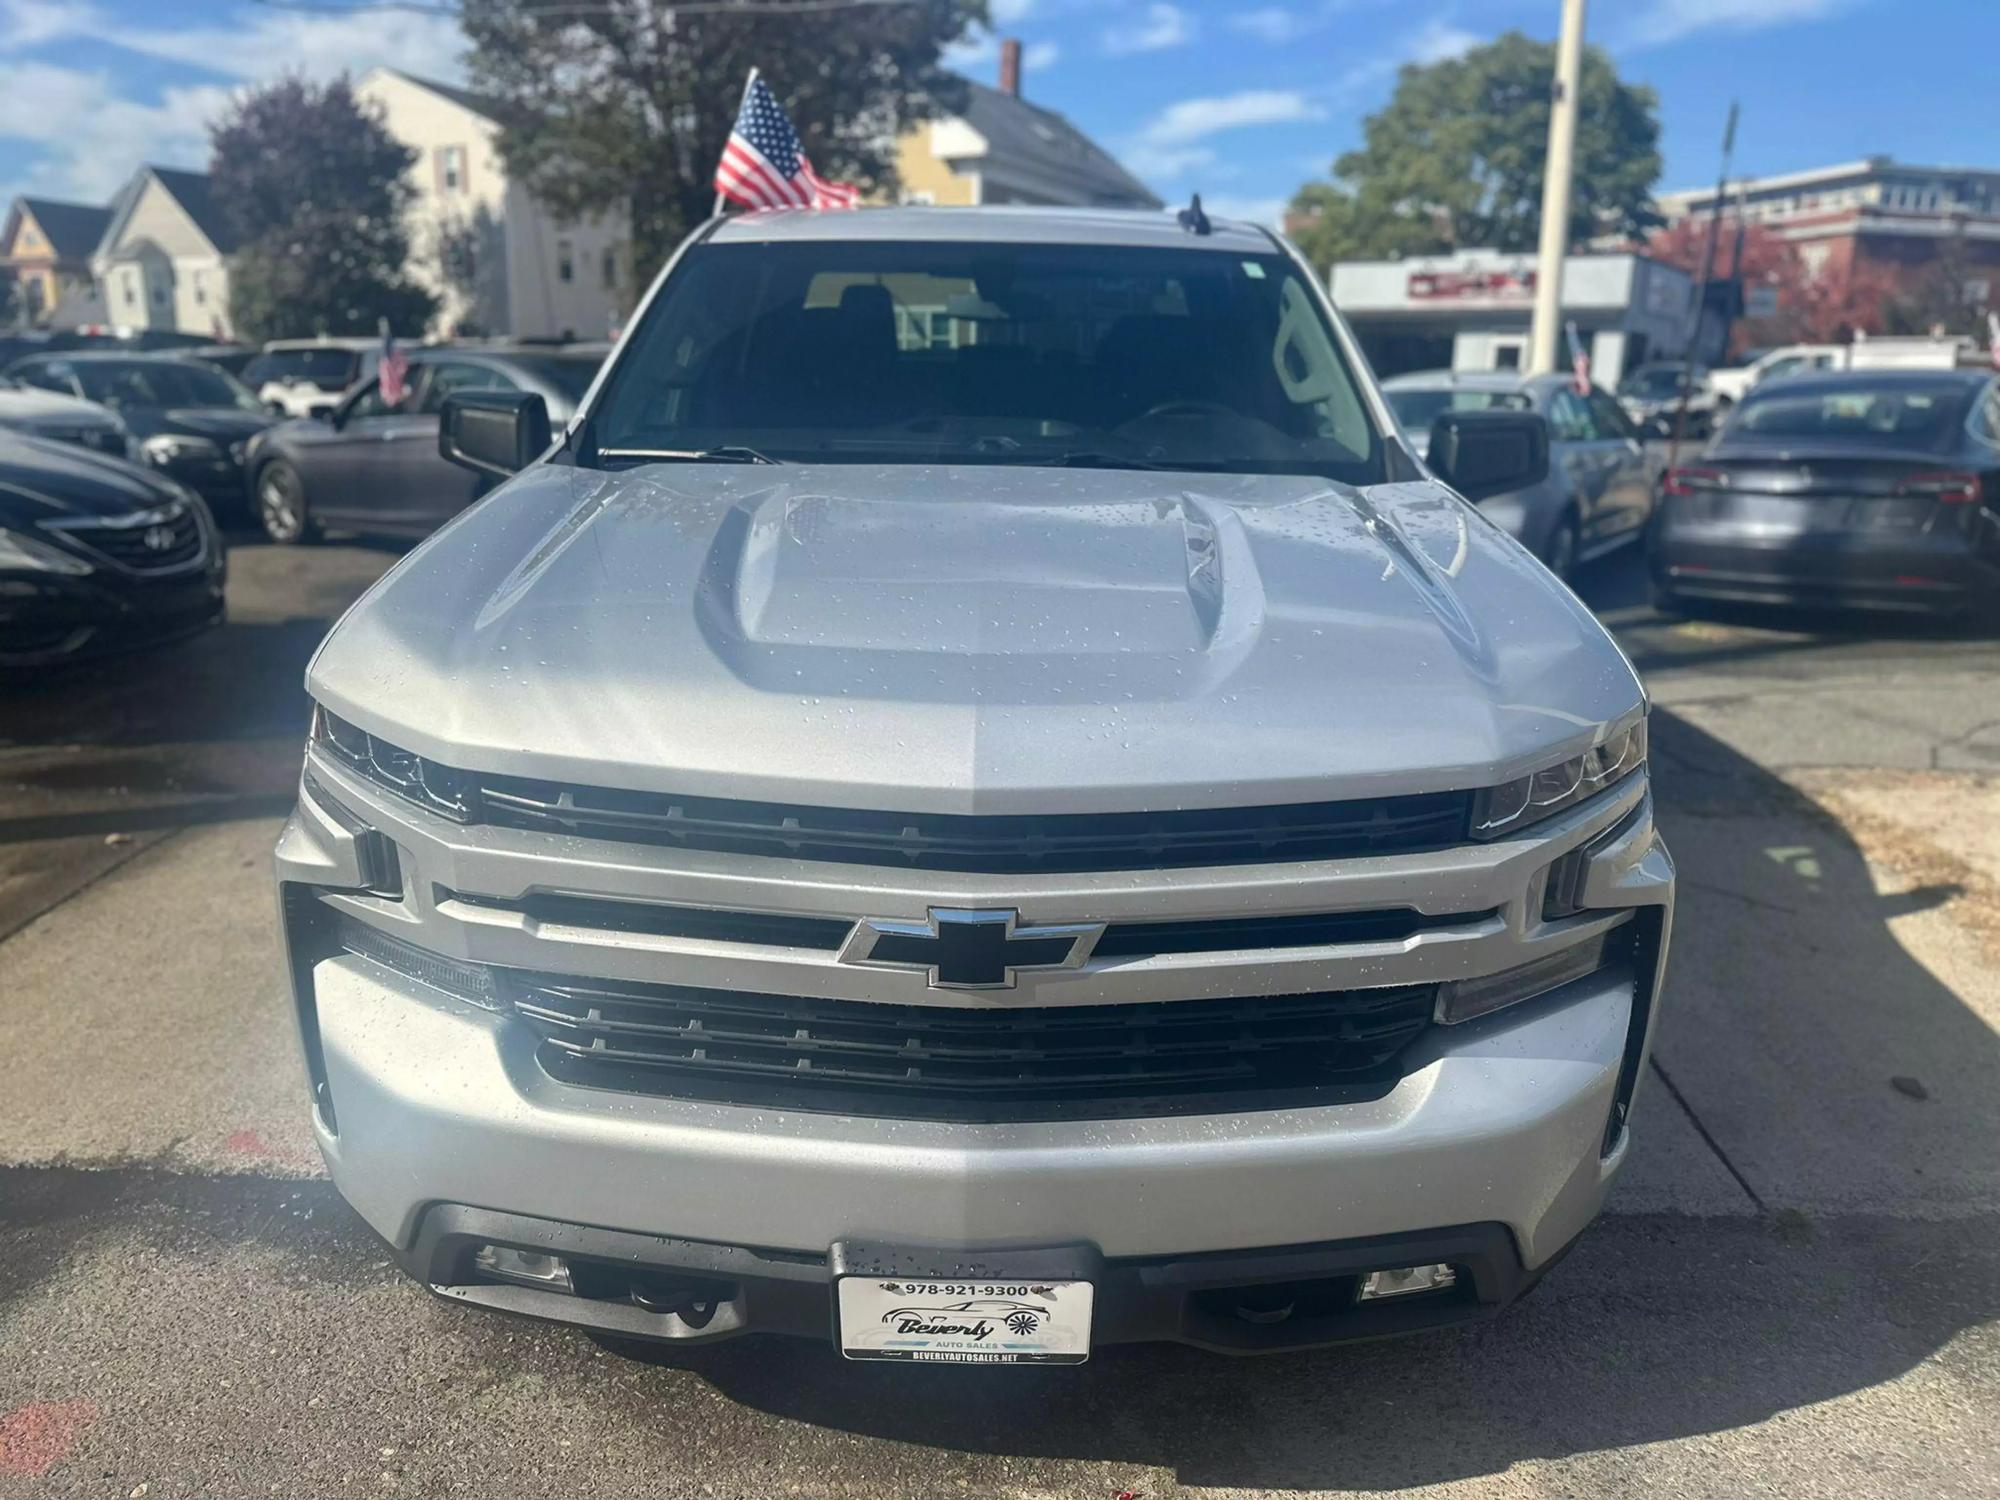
pixel 987 845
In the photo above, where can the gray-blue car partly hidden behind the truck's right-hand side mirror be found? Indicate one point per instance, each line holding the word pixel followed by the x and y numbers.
pixel 1599 491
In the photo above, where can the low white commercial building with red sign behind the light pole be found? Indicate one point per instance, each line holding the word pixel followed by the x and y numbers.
pixel 1471 311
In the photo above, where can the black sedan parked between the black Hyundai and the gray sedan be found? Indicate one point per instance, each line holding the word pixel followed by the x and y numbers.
pixel 189 419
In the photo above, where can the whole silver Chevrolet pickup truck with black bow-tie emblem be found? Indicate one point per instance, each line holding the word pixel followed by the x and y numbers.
pixel 977 801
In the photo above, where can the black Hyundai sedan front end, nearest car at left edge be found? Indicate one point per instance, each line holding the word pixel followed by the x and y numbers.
pixel 97 557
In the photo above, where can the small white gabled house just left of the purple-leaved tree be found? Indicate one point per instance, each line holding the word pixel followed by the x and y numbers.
pixel 163 261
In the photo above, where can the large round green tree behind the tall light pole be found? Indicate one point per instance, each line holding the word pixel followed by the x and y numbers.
pixel 1455 161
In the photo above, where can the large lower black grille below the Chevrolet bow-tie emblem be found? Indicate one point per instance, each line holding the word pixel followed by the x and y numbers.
pixel 857 1057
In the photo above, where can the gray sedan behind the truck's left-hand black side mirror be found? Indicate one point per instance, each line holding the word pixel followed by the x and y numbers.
pixel 373 467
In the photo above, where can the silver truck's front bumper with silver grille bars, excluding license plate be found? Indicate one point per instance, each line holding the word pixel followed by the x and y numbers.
pixel 1495 1149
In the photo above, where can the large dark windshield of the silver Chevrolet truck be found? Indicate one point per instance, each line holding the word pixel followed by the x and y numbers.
pixel 991 355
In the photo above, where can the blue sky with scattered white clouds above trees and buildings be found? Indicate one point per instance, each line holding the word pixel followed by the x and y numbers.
pixel 1237 101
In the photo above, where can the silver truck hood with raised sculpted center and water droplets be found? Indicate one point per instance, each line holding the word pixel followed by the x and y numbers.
pixel 975 639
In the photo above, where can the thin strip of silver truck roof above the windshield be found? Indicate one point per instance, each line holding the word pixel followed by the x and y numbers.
pixel 1123 227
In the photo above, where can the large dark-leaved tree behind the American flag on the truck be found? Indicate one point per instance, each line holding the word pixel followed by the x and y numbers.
pixel 627 107
